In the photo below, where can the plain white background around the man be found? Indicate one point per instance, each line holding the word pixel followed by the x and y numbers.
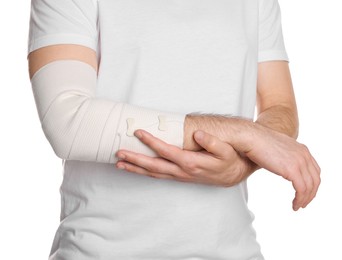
pixel 31 174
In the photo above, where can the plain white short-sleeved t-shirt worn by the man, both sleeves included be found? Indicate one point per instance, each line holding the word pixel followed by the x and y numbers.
pixel 173 55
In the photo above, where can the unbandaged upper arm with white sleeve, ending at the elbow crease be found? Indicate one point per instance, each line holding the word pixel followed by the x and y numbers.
pixel 274 86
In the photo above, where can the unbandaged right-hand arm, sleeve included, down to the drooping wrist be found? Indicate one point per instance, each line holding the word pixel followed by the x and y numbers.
pixel 275 96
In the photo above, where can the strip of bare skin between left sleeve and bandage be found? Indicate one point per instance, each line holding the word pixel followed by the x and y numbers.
pixel 42 56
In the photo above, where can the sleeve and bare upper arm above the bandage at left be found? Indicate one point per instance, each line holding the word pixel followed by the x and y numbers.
pixel 60 30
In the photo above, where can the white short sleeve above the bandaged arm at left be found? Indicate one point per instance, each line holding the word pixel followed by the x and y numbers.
pixel 63 22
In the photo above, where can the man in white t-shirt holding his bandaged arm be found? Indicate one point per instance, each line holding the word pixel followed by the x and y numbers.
pixel 104 73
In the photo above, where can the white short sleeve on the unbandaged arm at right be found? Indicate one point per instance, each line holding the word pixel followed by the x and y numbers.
pixel 271 41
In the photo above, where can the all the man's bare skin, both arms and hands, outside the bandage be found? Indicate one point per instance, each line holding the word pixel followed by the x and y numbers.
pixel 219 150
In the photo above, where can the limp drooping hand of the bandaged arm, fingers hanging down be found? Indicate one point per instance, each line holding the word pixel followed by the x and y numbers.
pixel 286 157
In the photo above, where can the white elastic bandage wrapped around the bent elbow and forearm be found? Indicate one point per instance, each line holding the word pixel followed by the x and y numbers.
pixel 80 126
